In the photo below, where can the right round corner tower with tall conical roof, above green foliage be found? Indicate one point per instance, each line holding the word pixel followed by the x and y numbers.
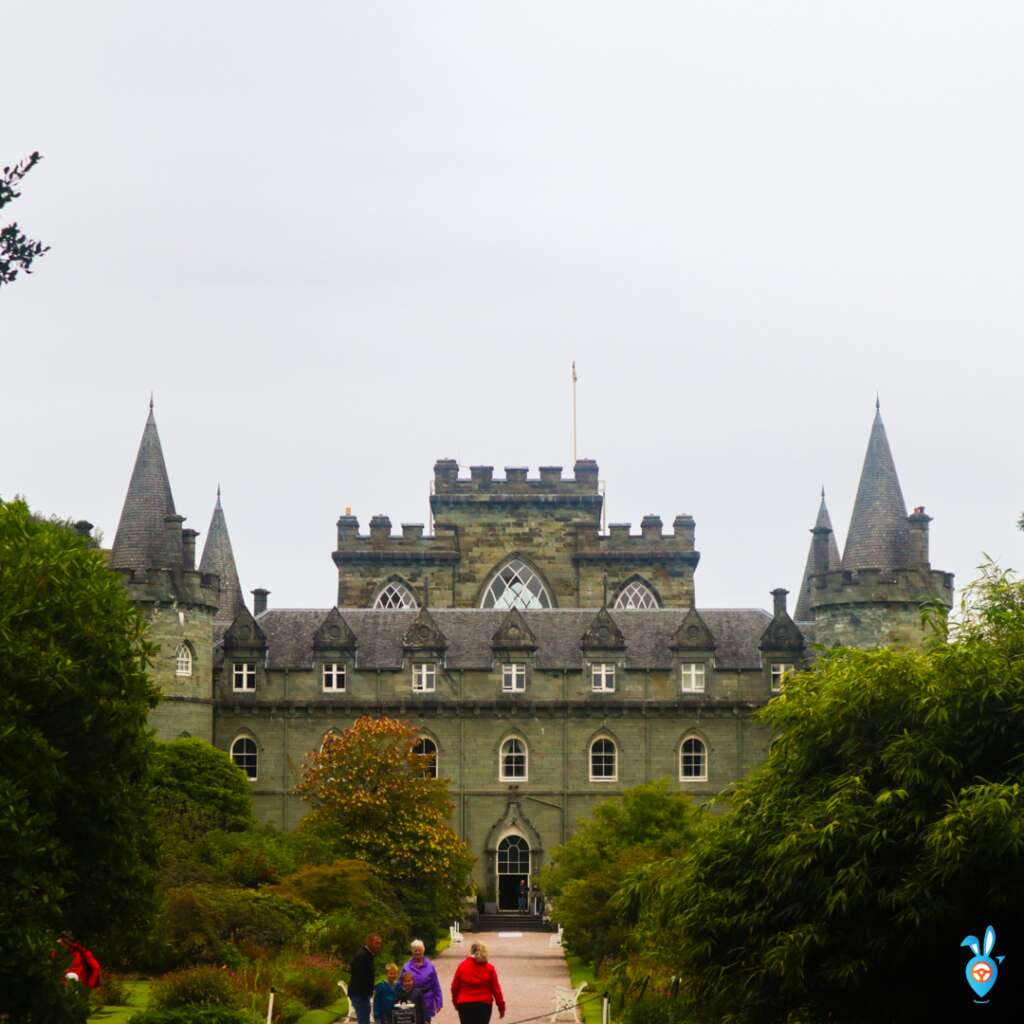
pixel 877 596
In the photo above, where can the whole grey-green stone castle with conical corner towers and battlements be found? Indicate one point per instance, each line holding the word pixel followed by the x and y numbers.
pixel 546 664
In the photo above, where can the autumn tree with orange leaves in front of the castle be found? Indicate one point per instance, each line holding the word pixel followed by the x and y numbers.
pixel 373 799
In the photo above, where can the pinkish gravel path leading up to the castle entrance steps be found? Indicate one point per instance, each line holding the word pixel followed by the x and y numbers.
pixel 529 969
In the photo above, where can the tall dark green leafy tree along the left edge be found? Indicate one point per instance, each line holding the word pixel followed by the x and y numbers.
pixel 76 847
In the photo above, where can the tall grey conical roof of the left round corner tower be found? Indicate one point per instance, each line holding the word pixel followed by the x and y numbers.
pixel 140 541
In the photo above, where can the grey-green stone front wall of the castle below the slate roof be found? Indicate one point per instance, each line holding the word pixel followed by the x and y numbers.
pixel 470 719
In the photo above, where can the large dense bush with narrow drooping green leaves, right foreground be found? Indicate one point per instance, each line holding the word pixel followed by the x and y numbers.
pixel 886 826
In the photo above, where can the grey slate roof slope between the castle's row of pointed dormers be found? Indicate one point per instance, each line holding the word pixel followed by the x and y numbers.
pixel 559 631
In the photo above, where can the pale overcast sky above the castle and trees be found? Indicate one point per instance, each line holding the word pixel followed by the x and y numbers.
pixel 340 241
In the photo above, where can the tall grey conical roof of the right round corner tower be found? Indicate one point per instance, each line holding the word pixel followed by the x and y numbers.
pixel 880 535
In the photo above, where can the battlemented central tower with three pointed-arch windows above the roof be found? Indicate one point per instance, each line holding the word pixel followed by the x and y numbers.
pixel 517 542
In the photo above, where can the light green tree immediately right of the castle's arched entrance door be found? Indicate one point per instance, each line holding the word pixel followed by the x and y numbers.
pixel 650 822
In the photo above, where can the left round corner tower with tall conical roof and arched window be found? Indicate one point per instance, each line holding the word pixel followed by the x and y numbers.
pixel 156 560
